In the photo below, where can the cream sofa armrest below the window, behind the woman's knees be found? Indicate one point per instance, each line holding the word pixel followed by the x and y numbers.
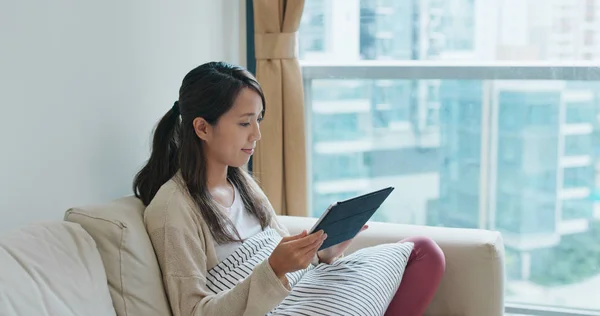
pixel 473 284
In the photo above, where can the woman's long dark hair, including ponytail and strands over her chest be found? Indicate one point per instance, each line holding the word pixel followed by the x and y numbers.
pixel 207 91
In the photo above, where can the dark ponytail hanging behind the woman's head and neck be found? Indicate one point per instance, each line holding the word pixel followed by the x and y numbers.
pixel 164 159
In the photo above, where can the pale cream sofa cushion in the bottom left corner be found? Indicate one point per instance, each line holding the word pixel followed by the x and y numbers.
pixel 52 269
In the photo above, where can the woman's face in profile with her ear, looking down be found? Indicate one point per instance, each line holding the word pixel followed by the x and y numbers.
pixel 231 141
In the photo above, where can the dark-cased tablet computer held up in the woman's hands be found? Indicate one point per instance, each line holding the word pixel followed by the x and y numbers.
pixel 343 219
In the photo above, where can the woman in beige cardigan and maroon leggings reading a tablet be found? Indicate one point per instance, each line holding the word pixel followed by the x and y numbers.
pixel 201 205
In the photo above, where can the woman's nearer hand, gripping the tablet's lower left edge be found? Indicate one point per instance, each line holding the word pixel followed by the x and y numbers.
pixel 295 252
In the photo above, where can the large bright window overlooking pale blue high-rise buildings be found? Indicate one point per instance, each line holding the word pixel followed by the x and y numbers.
pixel 420 97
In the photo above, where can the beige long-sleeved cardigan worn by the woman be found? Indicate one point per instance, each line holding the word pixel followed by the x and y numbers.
pixel 185 251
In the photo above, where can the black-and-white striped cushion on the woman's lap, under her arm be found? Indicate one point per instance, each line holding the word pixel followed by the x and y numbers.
pixel 362 283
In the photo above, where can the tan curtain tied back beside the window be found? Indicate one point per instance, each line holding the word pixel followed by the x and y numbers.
pixel 279 162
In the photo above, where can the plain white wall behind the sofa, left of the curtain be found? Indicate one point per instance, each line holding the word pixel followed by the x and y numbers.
pixel 82 84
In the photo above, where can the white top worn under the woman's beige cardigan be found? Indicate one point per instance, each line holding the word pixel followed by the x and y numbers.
pixel 246 224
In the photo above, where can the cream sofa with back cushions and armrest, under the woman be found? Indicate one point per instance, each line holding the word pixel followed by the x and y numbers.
pixel 99 261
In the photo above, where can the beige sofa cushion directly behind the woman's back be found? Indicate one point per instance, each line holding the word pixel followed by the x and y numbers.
pixel 131 266
